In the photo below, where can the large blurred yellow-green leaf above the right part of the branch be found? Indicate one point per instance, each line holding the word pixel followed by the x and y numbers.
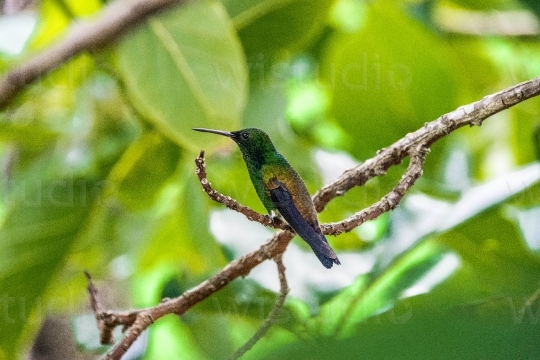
pixel 383 87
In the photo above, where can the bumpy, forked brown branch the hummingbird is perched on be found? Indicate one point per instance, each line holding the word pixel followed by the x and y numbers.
pixel 414 145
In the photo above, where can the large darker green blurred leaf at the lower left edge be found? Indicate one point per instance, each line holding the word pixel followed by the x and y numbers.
pixel 35 239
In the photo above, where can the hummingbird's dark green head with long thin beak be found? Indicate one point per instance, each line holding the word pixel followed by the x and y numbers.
pixel 254 143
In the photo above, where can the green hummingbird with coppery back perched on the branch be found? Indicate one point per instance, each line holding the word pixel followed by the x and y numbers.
pixel 280 187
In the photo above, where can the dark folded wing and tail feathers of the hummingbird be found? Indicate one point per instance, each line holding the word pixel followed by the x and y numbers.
pixel 283 201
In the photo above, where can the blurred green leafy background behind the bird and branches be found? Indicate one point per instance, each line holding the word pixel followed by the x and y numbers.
pixel 97 174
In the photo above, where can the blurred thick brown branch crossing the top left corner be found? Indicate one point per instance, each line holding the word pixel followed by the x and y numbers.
pixel 91 36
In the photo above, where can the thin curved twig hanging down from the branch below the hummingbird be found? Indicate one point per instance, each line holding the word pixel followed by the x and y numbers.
pixel 272 317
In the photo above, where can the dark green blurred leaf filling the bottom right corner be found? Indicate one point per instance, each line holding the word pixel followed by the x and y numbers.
pixel 420 329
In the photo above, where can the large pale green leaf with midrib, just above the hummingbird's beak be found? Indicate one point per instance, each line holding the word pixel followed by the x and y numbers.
pixel 191 74
